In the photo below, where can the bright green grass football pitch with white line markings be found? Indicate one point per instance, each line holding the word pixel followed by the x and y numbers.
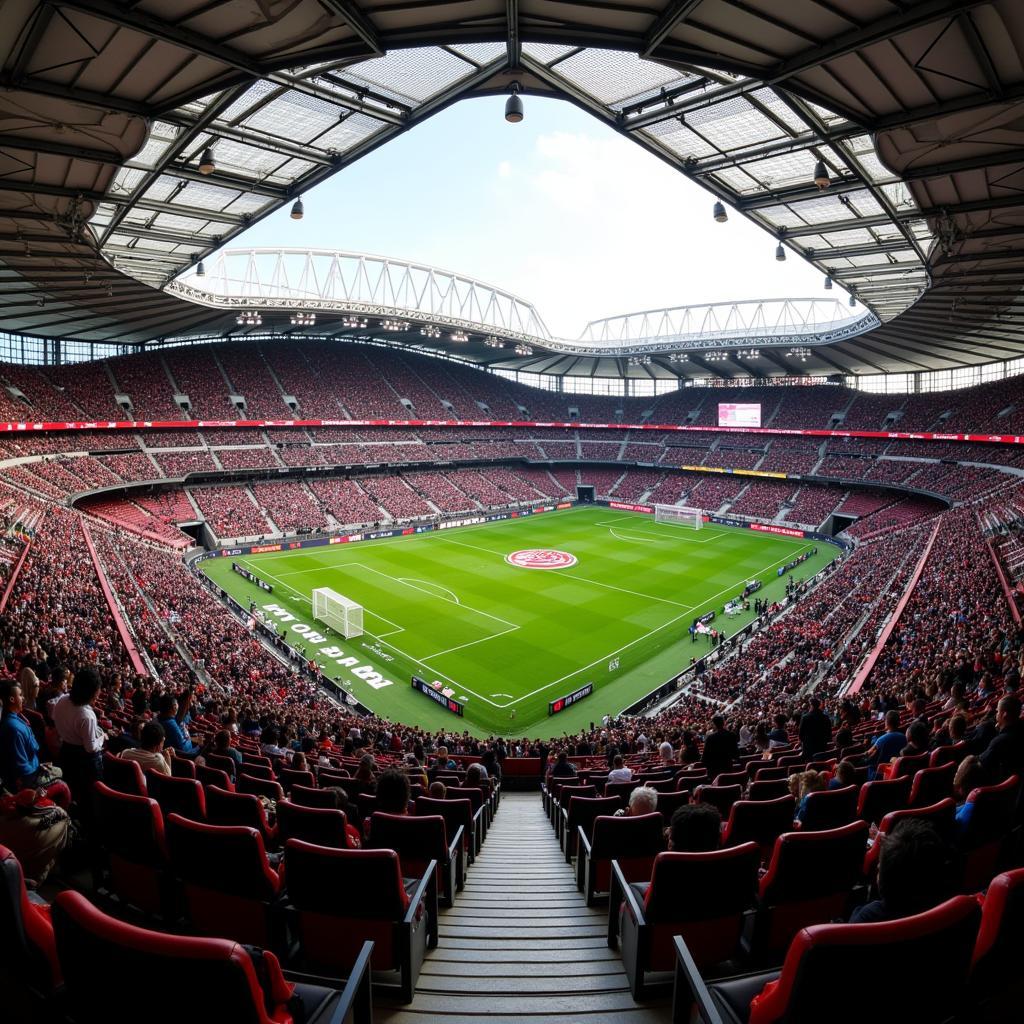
pixel 446 606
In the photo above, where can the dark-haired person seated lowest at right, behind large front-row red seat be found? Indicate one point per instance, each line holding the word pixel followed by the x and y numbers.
pixel 914 874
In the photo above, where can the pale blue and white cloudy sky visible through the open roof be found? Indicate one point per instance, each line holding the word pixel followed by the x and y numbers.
pixel 560 209
